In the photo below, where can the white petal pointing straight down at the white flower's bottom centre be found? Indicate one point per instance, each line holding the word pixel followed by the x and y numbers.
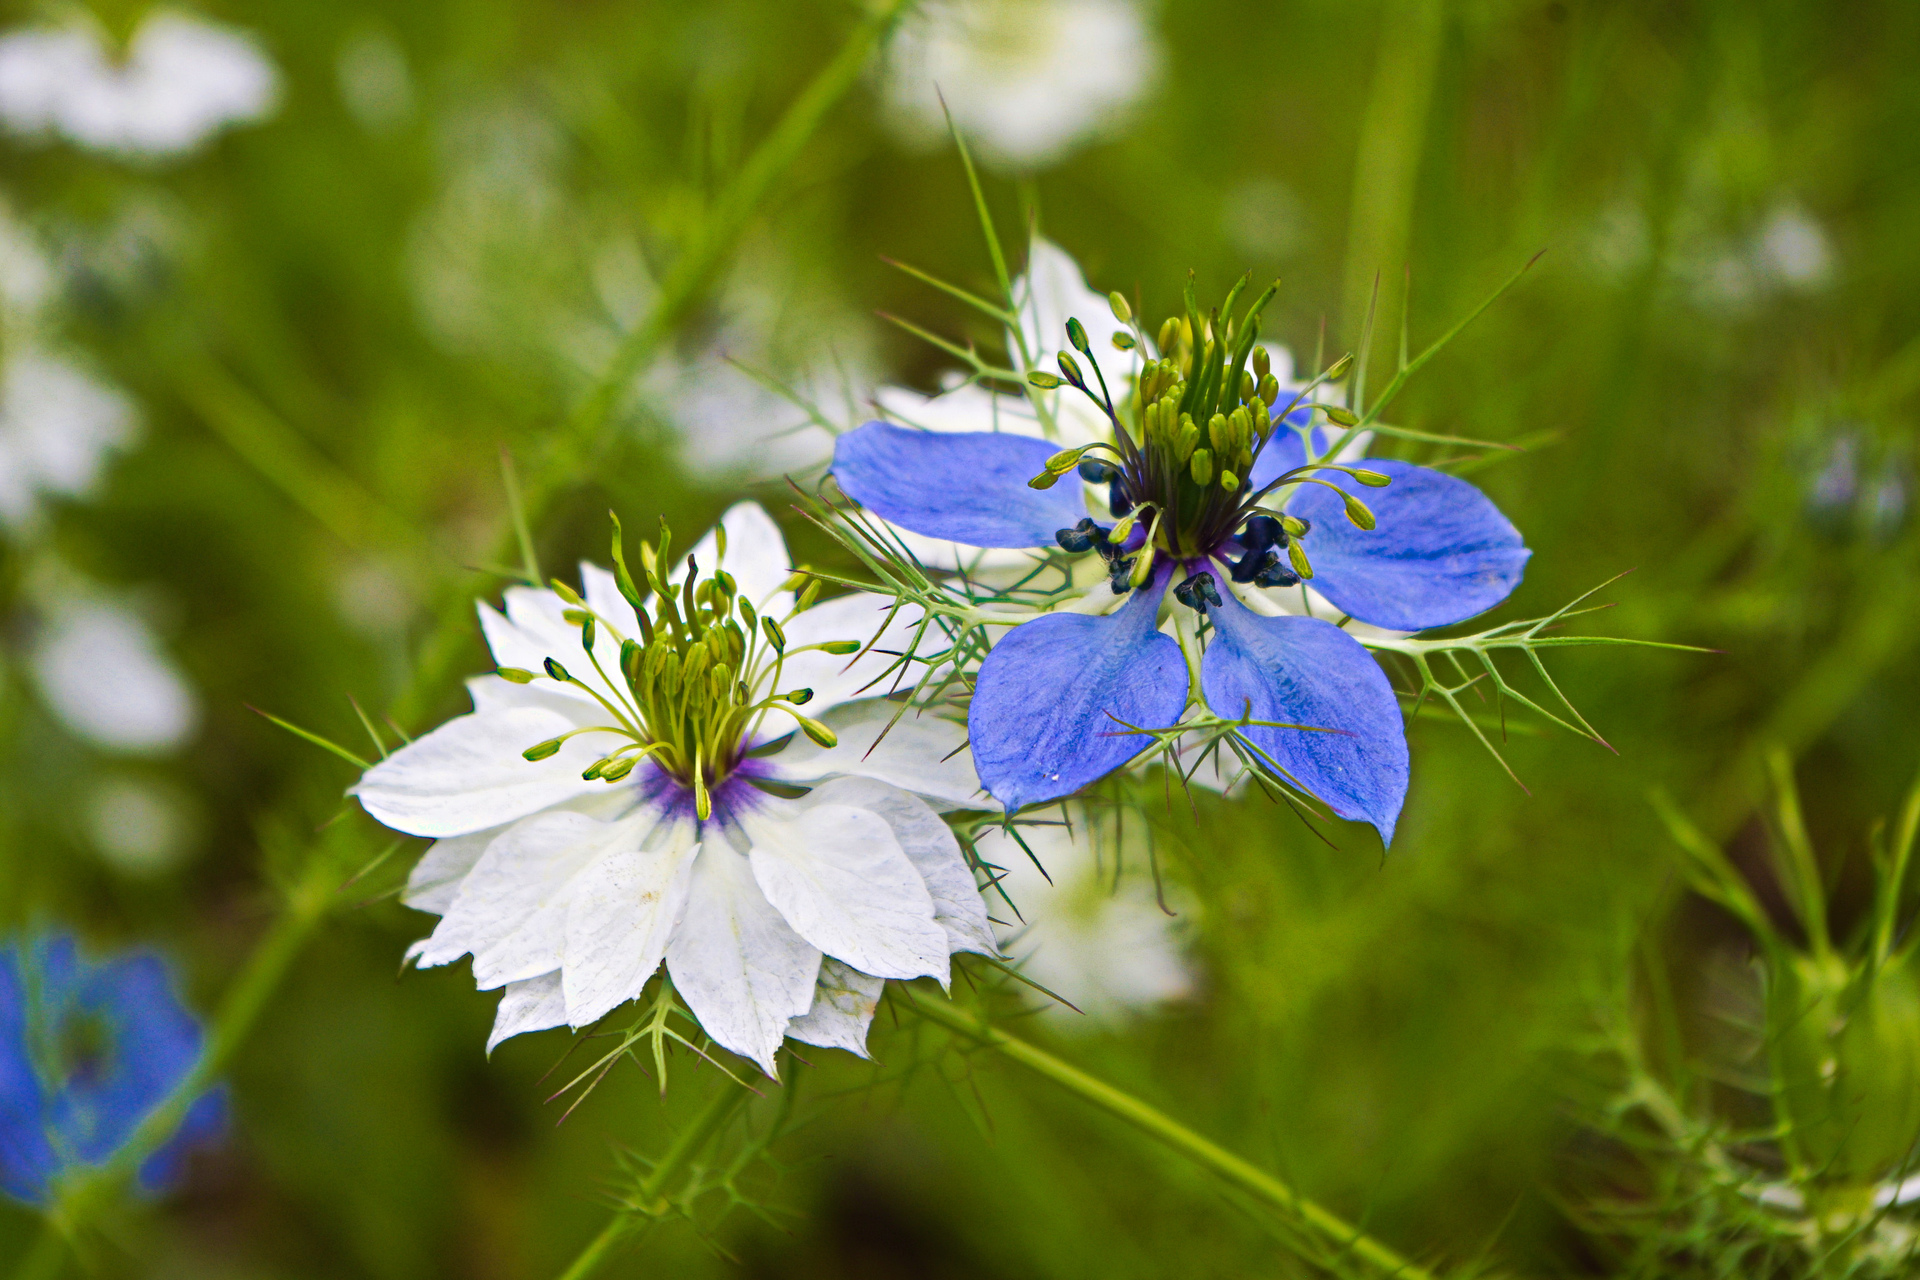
pixel 736 962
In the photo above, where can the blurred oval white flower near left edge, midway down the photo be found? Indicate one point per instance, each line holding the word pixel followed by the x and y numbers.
pixel 105 675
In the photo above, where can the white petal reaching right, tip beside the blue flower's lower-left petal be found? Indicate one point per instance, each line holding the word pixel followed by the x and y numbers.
pixel 923 753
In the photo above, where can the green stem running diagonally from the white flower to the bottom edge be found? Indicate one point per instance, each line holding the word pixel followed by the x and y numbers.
pixel 1170 1133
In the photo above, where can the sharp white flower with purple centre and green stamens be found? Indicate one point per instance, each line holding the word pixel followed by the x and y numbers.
pixel 617 811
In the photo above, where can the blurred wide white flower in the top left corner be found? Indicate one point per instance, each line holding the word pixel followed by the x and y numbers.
pixel 180 82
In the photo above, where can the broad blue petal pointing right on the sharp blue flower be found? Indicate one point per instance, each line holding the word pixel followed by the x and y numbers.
pixel 1439 552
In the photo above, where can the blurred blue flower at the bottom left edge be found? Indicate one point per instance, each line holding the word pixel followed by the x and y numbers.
pixel 87 1051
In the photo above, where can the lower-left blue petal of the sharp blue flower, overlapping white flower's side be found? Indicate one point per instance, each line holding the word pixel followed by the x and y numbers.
pixel 1051 696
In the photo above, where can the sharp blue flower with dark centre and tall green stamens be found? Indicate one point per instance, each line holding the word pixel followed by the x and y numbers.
pixel 1209 490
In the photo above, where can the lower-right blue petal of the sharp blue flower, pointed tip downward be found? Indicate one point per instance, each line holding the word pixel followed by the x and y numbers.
pixel 1310 673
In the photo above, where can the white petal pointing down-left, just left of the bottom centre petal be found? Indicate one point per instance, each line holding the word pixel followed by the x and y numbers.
pixel 619 920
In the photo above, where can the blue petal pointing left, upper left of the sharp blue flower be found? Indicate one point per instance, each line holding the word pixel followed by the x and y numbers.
pixel 963 486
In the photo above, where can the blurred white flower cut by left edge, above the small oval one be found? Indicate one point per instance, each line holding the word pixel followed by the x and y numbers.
pixel 57 431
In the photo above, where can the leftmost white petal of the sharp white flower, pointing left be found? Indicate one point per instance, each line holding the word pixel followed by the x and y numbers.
pixel 469 774
